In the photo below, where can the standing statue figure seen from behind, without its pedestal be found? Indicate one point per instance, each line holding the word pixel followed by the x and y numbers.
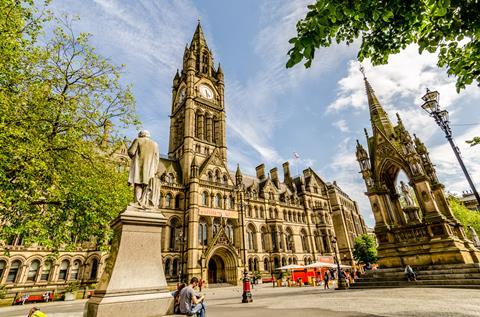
pixel 145 156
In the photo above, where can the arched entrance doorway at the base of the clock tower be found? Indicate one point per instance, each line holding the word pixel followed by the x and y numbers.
pixel 222 266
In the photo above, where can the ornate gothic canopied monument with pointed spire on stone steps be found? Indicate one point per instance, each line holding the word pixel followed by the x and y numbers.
pixel 423 232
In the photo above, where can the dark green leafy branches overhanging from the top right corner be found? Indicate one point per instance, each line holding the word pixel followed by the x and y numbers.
pixel 448 27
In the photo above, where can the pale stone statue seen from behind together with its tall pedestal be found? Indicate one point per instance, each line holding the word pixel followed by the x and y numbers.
pixel 133 282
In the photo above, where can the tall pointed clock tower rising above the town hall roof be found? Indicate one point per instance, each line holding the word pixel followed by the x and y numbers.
pixel 197 120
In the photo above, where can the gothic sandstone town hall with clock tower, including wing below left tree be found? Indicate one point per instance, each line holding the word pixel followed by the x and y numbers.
pixel 286 218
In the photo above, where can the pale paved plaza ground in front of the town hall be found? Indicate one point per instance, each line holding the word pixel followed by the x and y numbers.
pixel 310 301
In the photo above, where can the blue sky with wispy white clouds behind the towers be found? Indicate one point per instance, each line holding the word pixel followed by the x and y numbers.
pixel 271 111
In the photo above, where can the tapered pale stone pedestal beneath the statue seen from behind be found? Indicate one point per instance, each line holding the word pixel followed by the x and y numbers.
pixel 133 282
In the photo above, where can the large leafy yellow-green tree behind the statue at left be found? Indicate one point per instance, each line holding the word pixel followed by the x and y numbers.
pixel 58 183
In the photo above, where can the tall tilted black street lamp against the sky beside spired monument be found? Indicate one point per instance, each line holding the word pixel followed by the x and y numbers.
pixel 432 107
